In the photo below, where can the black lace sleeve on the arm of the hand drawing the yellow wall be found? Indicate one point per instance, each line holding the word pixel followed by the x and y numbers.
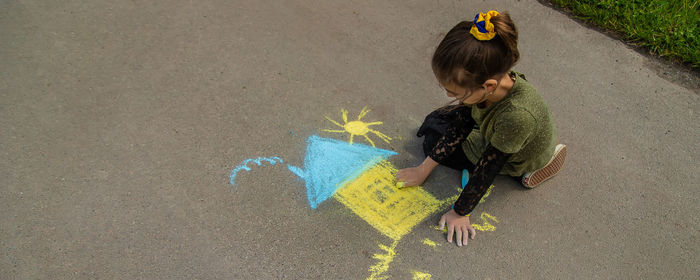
pixel 456 132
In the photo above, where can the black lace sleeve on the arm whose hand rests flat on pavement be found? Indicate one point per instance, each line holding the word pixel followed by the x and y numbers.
pixel 484 173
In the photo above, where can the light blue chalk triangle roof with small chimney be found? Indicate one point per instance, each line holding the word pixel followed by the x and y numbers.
pixel 329 163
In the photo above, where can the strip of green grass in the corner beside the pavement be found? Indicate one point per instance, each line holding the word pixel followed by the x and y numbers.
pixel 668 28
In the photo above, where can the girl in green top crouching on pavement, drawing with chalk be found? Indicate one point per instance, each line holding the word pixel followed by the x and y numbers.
pixel 501 125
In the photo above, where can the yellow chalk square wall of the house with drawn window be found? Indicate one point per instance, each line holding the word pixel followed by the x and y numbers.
pixel 375 198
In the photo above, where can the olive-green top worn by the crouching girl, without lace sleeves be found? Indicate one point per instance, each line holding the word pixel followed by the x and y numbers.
pixel 520 124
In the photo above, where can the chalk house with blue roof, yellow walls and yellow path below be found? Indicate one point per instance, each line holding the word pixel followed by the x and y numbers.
pixel 361 178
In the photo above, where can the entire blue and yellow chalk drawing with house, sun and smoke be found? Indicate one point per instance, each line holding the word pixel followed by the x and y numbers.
pixel 362 179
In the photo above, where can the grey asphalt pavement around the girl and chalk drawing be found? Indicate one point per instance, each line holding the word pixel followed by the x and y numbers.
pixel 121 121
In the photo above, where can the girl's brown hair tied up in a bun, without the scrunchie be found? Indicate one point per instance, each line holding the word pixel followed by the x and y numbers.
pixel 467 62
